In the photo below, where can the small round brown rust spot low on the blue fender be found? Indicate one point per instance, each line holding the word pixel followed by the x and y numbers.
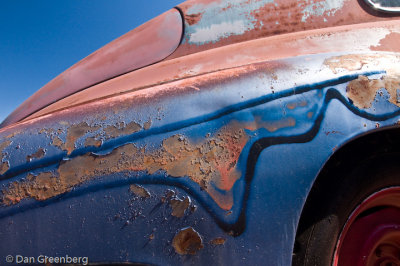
pixel 187 241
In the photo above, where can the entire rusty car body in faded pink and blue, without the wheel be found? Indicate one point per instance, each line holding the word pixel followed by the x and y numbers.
pixel 219 132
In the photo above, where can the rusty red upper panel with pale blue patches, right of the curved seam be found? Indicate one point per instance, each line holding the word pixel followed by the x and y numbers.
pixel 210 24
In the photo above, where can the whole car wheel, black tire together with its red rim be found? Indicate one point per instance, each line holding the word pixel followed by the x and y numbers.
pixel 354 218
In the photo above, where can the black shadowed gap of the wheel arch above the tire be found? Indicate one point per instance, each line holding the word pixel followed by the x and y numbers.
pixel 382 146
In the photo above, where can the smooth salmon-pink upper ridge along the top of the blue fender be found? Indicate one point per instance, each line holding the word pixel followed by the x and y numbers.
pixel 361 38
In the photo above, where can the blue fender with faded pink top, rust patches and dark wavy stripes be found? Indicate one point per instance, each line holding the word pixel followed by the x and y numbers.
pixel 212 166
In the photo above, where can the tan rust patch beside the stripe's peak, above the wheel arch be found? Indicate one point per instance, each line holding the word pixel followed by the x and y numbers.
pixel 362 91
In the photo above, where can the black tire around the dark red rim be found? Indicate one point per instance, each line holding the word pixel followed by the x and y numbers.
pixel 333 199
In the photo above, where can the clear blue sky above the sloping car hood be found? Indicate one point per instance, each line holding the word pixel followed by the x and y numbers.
pixel 39 39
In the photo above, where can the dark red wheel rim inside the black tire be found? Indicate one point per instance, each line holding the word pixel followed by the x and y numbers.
pixel 371 235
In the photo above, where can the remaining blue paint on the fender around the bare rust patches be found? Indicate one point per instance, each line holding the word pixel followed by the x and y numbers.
pixel 269 199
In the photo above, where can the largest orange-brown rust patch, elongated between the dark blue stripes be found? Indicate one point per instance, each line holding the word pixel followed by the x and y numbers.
pixel 211 163
